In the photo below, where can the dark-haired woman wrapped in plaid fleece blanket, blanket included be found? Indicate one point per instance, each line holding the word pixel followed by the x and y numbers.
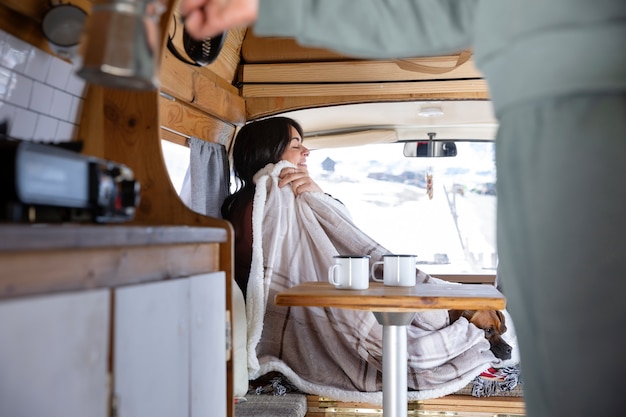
pixel 296 234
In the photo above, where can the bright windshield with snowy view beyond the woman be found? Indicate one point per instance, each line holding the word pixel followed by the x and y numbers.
pixel 451 227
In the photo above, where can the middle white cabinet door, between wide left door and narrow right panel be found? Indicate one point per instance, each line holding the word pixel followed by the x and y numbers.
pixel 151 349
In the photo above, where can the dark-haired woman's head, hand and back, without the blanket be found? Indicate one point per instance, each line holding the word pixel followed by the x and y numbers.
pixel 257 144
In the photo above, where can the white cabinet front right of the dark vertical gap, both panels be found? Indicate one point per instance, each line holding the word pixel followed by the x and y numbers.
pixel 169 348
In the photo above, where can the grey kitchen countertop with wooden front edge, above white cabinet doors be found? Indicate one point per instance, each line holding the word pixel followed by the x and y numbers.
pixel 42 259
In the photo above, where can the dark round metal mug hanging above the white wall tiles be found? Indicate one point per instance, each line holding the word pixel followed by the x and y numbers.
pixel 63 28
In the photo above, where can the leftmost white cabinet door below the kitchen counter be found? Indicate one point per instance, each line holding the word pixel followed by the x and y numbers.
pixel 53 355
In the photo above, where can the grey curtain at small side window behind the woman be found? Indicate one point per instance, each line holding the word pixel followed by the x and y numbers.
pixel 207 181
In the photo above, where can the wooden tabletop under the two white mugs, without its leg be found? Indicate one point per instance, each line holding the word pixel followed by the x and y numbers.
pixel 381 298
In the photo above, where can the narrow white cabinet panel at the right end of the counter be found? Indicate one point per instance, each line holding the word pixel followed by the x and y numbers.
pixel 208 345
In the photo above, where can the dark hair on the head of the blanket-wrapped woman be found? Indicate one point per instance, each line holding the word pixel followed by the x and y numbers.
pixel 259 143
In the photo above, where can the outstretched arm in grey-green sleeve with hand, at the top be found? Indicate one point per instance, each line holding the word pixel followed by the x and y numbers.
pixel 361 28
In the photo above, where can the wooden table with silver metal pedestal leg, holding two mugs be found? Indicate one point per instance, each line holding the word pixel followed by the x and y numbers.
pixel 394 308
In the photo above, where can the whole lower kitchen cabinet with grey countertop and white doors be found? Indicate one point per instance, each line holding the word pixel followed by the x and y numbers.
pixel 114 320
